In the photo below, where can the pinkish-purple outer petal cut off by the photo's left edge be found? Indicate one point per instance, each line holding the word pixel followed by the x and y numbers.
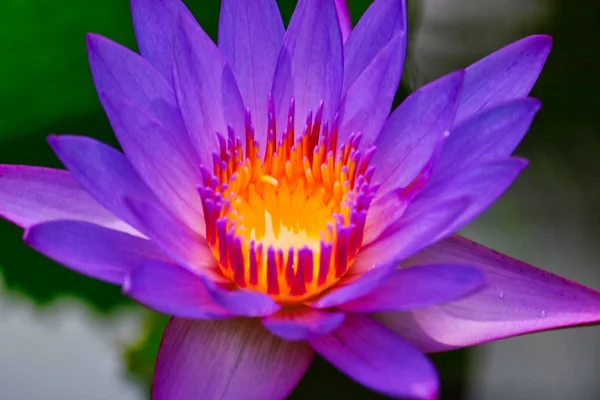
pixel 33 195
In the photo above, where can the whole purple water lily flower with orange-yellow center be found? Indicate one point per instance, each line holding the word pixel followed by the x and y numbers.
pixel 268 200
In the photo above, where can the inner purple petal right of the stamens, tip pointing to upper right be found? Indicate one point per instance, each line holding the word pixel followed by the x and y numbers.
pixel 412 132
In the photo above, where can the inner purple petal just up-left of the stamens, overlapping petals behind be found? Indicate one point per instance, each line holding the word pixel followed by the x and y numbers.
pixel 206 90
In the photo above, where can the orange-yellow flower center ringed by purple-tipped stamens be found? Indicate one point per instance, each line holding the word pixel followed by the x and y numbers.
pixel 290 223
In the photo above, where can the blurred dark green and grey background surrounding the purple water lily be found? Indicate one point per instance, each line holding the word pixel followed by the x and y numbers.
pixel 64 336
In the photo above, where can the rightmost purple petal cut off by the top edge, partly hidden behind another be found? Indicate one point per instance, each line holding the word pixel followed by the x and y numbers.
pixel 382 21
